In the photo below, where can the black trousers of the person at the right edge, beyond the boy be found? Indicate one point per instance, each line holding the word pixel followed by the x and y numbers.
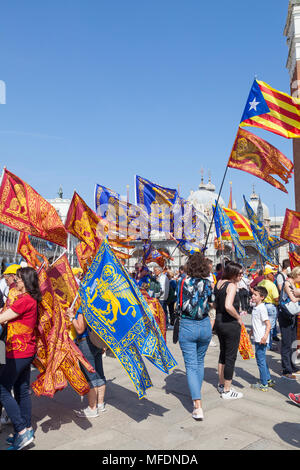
pixel 288 344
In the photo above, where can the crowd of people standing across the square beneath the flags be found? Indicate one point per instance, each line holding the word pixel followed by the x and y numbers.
pixel 198 301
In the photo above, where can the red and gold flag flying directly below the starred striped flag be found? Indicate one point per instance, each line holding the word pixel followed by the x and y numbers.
pixel 256 156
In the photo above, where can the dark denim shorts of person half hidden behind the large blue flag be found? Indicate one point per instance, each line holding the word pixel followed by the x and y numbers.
pixel 94 356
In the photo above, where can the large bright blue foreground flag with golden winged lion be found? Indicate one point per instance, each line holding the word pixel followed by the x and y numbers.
pixel 115 309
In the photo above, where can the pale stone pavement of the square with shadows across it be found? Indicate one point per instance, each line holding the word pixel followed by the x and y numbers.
pixel 162 420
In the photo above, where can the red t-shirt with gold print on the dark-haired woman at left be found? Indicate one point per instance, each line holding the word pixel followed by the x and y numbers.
pixel 21 341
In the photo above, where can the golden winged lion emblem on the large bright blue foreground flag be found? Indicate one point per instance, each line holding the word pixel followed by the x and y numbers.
pixel 111 287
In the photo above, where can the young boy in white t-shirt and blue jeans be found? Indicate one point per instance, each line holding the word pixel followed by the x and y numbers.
pixel 261 327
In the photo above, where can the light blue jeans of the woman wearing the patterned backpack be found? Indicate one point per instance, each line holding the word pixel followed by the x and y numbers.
pixel 194 339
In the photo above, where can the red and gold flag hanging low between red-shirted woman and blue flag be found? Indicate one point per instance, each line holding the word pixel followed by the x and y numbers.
pixel 57 357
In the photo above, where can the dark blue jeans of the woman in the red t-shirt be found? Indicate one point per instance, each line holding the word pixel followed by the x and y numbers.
pixel 16 375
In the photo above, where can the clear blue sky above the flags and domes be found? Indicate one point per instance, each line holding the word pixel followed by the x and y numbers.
pixel 101 90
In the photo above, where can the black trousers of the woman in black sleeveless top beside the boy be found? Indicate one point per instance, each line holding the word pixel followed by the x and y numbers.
pixel 229 337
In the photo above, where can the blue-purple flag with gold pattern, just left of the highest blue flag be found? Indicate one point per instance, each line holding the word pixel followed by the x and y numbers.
pixel 129 219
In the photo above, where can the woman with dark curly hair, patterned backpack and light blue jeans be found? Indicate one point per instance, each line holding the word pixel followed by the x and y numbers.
pixel 194 295
